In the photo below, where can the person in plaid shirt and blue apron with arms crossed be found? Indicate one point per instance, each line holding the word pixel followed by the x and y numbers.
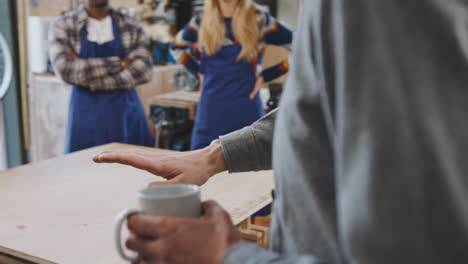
pixel 103 54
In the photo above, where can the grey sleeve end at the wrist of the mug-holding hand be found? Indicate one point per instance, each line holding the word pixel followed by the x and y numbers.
pixel 248 253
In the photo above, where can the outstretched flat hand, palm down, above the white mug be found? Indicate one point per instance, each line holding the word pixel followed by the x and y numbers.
pixel 193 167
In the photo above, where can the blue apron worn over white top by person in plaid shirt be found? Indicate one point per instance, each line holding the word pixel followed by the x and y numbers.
pixel 101 117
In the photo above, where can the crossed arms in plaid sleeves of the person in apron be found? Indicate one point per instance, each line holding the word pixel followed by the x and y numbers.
pixel 109 73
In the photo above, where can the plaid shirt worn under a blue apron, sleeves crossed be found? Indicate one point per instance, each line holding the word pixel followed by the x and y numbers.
pixel 99 73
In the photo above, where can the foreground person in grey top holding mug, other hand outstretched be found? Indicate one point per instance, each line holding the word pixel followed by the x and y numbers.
pixel 370 146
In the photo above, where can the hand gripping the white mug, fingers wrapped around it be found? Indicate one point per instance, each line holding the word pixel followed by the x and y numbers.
pixel 175 240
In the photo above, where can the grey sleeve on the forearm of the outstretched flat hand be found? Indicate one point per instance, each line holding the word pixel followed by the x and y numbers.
pixel 250 149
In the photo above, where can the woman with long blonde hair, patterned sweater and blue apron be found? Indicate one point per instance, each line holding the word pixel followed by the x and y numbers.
pixel 230 35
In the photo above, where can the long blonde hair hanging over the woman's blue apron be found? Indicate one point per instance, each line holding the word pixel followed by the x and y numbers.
pixel 244 26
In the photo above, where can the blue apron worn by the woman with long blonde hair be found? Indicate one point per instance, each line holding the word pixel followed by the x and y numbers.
pixel 225 105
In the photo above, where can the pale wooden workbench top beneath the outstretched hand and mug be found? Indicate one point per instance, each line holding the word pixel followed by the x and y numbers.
pixel 62 210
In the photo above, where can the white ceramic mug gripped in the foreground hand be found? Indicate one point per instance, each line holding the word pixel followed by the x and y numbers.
pixel 181 200
